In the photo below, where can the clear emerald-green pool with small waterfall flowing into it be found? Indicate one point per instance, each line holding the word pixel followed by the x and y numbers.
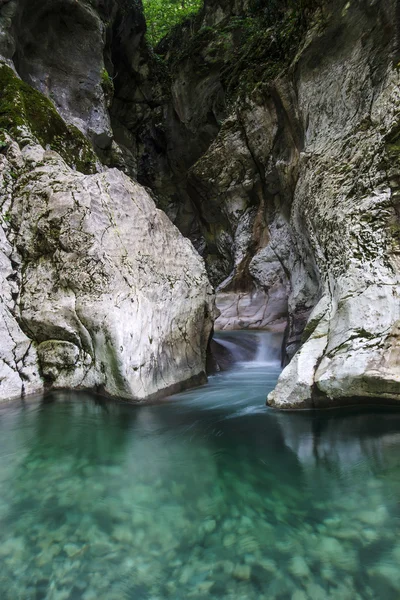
pixel 208 495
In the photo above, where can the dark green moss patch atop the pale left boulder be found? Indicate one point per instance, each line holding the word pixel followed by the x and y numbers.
pixel 24 108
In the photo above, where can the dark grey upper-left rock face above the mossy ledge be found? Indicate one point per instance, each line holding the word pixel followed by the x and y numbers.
pixel 65 50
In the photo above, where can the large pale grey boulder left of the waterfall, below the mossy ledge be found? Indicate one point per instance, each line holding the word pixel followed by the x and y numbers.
pixel 99 290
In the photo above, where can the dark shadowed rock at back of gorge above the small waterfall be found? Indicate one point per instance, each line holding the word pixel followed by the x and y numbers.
pixel 203 161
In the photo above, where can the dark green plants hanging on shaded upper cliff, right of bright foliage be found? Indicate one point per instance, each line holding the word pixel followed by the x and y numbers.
pixel 248 50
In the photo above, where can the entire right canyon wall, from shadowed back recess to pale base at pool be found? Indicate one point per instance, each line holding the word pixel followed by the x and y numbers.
pixel 288 187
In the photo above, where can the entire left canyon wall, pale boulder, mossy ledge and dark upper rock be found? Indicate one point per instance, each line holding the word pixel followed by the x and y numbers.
pixel 99 290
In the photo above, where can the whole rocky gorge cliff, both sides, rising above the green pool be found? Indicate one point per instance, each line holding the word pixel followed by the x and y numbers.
pixel 267 132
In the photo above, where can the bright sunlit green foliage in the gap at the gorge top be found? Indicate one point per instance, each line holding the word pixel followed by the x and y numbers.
pixel 163 15
